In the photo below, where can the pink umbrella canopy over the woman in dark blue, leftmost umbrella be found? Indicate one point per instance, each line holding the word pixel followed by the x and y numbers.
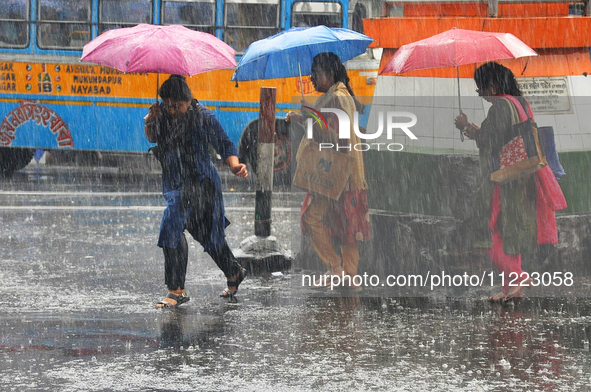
pixel 171 49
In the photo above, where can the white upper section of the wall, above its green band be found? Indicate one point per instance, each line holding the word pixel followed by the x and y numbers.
pixel 435 102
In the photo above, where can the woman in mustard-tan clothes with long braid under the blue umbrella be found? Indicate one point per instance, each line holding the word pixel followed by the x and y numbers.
pixel 322 217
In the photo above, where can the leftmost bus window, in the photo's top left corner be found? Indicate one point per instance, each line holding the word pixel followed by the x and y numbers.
pixel 14 16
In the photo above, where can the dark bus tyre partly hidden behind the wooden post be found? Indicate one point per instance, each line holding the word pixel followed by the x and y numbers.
pixel 287 140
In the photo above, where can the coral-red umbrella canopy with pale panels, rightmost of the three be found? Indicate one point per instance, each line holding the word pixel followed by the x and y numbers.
pixel 456 47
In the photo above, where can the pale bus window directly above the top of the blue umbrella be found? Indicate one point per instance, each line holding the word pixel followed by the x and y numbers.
pixel 305 14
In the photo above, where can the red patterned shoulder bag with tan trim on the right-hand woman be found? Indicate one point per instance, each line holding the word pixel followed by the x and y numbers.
pixel 522 153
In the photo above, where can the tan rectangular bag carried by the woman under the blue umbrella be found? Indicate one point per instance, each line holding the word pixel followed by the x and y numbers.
pixel 324 172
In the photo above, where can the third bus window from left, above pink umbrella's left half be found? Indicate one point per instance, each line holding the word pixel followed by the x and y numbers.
pixel 114 14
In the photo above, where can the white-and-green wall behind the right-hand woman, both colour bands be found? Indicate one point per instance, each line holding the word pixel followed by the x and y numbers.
pixel 425 178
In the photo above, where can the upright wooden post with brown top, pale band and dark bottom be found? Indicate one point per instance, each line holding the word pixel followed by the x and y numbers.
pixel 265 160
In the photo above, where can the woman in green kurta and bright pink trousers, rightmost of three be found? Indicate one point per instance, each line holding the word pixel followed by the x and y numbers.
pixel 516 217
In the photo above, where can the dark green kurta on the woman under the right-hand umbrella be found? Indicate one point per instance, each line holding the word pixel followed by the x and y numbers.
pixel 518 198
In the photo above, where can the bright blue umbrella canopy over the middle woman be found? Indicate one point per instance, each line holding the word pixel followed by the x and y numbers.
pixel 290 53
